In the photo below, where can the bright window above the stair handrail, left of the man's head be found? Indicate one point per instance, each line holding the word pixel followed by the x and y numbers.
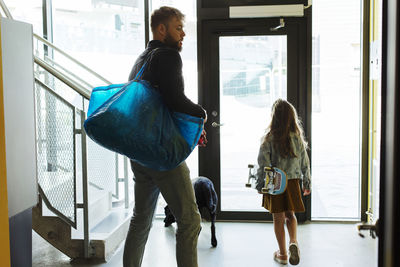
pixel 105 35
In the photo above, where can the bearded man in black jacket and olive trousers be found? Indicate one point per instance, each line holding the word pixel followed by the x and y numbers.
pixel 164 72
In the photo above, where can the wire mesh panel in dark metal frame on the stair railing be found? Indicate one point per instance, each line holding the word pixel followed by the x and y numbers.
pixel 56 166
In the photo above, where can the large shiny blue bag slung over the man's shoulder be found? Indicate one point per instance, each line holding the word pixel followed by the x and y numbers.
pixel 131 119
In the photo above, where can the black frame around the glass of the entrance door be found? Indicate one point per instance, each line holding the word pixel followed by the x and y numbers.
pixel 299 89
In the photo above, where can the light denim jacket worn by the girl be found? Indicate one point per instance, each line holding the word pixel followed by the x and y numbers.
pixel 295 167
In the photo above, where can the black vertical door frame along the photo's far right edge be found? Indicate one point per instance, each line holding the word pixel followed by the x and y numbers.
pixel 389 206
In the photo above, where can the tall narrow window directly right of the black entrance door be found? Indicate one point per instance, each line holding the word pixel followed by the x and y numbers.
pixel 336 110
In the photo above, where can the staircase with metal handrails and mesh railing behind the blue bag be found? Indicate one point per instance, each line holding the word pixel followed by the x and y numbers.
pixel 84 208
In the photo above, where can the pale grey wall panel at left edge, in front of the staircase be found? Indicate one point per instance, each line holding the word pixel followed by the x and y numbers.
pixel 19 113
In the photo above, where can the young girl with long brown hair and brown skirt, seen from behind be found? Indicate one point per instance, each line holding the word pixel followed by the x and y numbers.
pixel 284 147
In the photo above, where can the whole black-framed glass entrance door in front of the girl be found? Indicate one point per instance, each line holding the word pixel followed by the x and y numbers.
pixel 249 66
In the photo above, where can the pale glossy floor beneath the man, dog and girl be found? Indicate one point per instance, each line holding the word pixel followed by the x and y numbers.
pixel 240 244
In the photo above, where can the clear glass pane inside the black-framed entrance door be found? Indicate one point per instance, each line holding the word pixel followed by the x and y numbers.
pixel 252 75
